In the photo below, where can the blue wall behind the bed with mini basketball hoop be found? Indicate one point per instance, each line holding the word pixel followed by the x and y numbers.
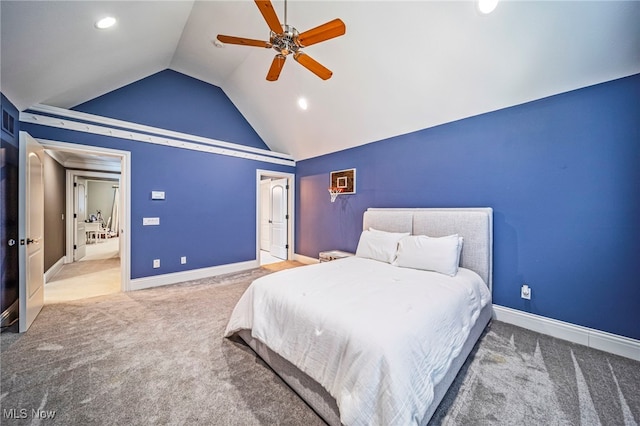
pixel 562 175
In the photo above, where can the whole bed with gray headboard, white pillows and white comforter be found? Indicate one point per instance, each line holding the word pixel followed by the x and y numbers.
pixel 377 338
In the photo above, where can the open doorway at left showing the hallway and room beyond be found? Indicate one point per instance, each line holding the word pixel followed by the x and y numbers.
pixel 97 243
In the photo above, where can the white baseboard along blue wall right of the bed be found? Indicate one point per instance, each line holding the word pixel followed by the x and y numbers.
pixel 608 342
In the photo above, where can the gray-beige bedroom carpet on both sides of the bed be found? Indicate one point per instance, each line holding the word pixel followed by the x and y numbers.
pixel 157 356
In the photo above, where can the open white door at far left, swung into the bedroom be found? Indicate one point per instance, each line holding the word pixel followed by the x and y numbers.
pixel 31 206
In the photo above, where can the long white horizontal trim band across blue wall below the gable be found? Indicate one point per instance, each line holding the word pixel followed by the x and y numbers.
pixel 131 131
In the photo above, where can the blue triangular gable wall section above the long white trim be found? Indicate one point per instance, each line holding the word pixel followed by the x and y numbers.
pixel 171 100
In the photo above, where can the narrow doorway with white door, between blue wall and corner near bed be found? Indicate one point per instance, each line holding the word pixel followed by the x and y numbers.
pixel 275 220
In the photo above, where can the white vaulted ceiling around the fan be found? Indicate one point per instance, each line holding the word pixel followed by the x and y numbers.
pixel 400 67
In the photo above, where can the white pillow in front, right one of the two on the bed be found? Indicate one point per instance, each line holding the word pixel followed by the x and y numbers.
pixel 430 254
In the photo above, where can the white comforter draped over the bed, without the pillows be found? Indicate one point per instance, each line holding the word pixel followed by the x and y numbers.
pixel 376 336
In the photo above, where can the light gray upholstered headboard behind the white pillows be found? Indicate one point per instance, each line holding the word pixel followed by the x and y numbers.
pixel 475 225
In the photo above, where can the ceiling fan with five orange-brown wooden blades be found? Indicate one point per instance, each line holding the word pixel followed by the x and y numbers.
pixel 286 40
